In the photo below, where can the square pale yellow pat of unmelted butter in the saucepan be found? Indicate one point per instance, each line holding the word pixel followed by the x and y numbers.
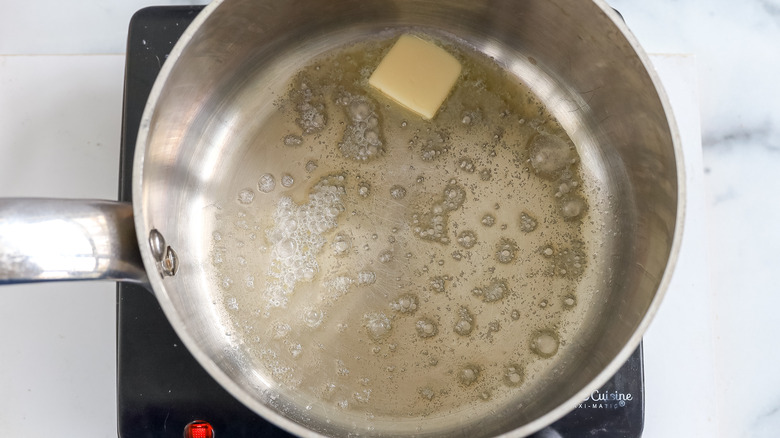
pixel 417 74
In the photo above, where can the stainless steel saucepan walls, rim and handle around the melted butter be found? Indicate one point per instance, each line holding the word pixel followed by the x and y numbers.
pixel 197 141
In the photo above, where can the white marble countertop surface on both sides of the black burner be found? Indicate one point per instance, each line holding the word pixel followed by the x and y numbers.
pixel 711 355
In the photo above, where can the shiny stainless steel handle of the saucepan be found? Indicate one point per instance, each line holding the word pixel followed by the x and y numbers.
pixel 68 239
